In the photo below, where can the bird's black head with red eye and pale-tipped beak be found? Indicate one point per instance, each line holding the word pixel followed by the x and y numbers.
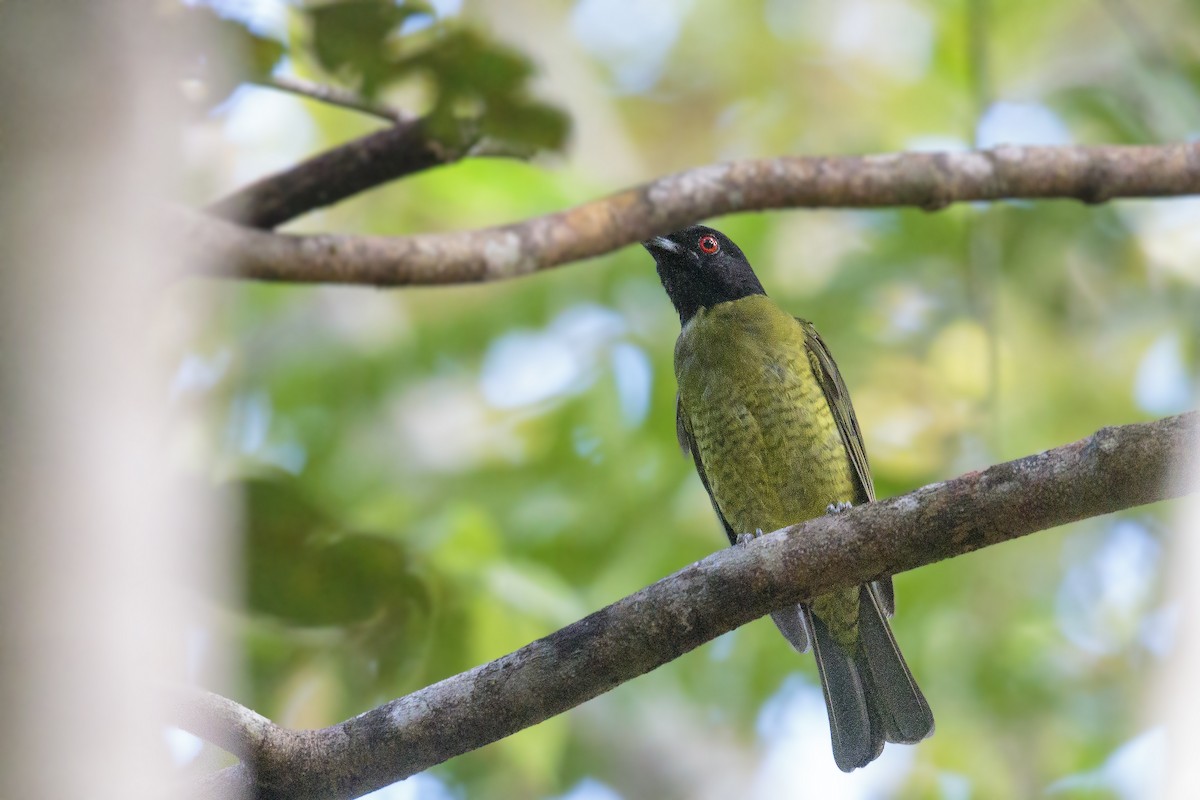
pixel 700 268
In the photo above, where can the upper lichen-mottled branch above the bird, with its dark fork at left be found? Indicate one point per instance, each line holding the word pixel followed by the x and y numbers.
pixel 916 179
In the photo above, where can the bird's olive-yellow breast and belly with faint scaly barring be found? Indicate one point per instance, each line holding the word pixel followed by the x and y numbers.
pixel 770 446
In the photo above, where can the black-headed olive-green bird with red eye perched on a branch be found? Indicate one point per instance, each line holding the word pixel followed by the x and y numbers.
pixel 767 419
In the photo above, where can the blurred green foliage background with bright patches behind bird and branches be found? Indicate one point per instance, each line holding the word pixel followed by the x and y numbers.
pixel 433 478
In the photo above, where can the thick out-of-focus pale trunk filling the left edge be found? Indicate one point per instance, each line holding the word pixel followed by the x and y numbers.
pixel 97 528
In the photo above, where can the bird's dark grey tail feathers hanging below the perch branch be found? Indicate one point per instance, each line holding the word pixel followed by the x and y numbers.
pixel 871 694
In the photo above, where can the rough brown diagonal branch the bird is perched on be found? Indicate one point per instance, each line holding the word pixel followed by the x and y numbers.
pixel 1117 468
